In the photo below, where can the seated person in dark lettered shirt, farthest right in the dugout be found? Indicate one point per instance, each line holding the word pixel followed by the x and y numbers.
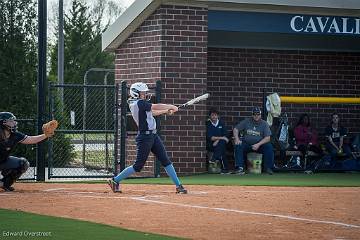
pixel 335 134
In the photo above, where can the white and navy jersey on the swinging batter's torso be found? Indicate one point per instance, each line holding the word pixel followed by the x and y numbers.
pixel 141 112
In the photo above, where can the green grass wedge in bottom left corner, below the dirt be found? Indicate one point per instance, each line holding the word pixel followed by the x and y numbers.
pixel 16 222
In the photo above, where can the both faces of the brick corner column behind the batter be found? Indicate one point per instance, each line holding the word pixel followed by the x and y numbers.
pixel 171 46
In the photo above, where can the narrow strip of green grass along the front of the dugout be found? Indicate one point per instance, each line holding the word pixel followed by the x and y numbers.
pixel 278 179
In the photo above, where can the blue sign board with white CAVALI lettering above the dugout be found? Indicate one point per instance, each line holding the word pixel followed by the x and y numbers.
pixel 283 23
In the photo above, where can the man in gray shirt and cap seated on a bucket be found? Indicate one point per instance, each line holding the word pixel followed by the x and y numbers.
pixel 253 135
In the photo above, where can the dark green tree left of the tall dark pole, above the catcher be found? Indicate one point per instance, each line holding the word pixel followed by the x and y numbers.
pixel 18 61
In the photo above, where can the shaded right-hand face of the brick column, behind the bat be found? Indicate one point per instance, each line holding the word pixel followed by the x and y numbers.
pixel 184 76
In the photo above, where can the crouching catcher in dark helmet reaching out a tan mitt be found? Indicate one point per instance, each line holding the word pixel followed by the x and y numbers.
pixel 13 167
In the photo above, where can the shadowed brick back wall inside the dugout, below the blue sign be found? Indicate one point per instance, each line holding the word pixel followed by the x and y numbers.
pixel 237 78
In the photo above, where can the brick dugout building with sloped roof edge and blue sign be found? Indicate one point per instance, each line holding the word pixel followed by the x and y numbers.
pixel 233 50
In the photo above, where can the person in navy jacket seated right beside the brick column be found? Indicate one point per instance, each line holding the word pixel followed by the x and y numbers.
pixel 217 140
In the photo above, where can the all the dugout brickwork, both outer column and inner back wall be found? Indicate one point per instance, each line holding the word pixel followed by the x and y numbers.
pixel 171 46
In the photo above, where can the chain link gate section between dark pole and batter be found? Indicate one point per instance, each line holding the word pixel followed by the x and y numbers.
pixel 83 145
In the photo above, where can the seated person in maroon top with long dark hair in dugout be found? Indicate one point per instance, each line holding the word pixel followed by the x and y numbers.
pixel 306 137
